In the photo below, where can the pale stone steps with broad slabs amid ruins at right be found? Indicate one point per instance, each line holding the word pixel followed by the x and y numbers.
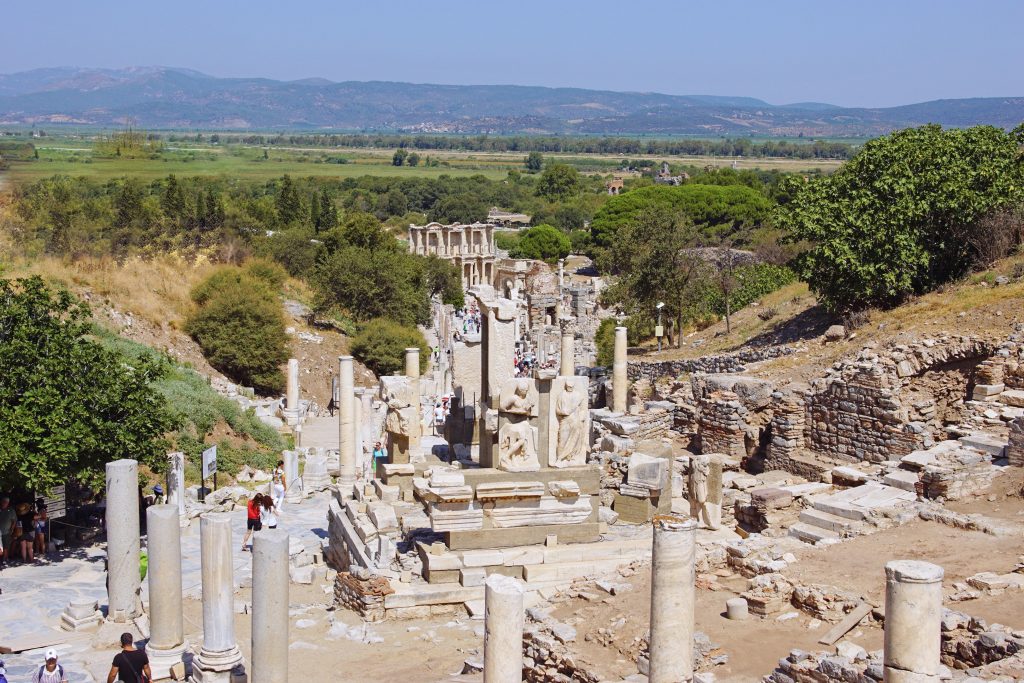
pixel 832 519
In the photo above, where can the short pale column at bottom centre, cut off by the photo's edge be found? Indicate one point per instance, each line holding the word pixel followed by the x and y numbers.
pixel 503 623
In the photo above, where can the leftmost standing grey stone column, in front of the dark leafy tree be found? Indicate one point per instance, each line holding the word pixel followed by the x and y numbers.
pixel 122 540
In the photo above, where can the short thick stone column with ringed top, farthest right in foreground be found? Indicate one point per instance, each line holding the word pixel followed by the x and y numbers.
pixel 914 622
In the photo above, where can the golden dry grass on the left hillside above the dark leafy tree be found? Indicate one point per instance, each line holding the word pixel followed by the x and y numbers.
pixel 156 289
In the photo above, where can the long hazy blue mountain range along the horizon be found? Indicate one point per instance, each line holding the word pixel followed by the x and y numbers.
pixel 179 99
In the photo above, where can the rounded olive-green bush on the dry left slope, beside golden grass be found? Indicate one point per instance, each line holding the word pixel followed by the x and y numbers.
pixel 240 326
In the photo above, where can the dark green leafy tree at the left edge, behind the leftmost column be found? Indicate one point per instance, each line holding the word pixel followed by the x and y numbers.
pixel 67 405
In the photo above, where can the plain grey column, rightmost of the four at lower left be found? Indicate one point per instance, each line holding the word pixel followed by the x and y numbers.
pixel 270 624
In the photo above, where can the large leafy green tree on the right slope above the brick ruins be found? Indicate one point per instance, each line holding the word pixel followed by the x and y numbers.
pixel 906 215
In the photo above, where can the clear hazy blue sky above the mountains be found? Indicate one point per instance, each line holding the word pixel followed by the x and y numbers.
pixel 860 53
